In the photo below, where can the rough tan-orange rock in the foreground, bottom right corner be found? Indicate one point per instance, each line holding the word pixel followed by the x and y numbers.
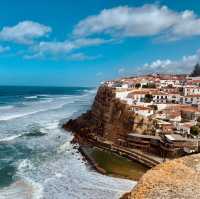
pixel 179 178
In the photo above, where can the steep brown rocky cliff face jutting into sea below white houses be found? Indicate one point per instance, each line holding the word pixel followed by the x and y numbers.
pixel 109 118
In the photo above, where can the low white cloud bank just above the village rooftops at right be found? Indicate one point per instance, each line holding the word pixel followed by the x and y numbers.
pixel 183 65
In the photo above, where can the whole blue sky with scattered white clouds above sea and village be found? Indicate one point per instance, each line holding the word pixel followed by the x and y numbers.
pixel 81 43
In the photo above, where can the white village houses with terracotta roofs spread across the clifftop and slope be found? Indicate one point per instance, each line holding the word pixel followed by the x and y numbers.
pixel 172 102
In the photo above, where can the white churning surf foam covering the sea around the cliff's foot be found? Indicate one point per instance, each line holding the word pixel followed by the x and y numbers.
pixel 63 172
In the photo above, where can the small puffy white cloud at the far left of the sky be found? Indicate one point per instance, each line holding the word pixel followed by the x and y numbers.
pixel 24 32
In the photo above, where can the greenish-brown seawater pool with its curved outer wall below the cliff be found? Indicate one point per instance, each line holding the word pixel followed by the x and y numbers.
pixel 85 149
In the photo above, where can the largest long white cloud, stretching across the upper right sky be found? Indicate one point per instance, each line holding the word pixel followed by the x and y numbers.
pixel 148 20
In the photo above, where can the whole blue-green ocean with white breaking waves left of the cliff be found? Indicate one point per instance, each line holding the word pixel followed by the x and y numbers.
pixel 37 160
